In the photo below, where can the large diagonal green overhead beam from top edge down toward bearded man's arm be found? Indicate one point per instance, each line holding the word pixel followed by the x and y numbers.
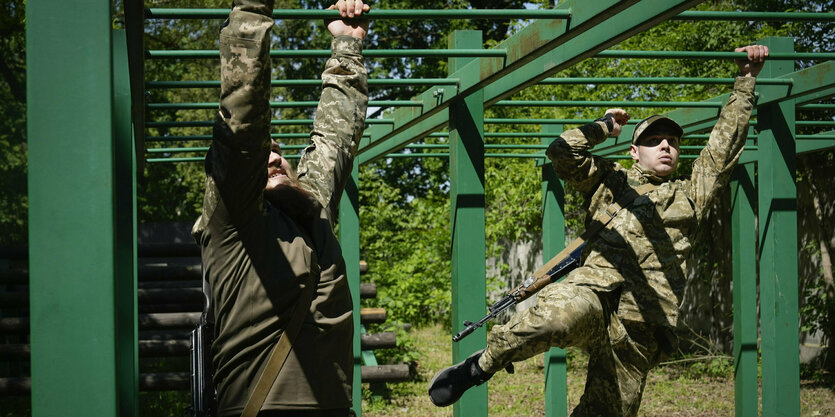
pixel 540 49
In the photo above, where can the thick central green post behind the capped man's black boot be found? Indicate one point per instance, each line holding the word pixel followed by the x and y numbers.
pixel 466 177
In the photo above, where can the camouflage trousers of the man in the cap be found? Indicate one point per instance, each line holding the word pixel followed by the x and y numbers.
pixel 620 353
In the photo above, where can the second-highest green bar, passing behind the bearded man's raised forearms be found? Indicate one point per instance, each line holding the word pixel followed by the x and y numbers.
pixel 325 53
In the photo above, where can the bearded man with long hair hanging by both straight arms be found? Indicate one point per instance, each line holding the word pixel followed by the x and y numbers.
pixel 266 232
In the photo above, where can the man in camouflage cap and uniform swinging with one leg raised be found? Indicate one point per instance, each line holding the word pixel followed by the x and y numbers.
pixel 622 303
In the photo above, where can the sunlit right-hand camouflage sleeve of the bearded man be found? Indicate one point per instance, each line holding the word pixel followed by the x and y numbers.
pixel 326 164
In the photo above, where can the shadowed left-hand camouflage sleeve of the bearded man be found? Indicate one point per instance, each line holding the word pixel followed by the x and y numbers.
pixel 236 163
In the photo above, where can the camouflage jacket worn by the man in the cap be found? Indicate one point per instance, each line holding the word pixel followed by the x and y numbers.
pixel 642 251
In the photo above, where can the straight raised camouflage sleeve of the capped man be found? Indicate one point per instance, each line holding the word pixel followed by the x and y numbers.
pixel 713 167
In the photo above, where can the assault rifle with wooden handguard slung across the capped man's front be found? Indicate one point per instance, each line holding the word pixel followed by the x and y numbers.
pixel 555 269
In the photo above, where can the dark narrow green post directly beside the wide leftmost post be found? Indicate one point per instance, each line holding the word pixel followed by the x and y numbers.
pixel 127 365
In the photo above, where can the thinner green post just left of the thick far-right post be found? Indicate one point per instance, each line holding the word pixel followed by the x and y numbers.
pixel 743 196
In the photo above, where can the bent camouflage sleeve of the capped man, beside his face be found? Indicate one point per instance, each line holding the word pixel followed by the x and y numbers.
pixel 571 155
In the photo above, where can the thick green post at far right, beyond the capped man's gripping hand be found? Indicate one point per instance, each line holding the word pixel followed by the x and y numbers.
pixel 778 245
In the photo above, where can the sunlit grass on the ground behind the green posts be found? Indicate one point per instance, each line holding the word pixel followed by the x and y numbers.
pixel 688 389
